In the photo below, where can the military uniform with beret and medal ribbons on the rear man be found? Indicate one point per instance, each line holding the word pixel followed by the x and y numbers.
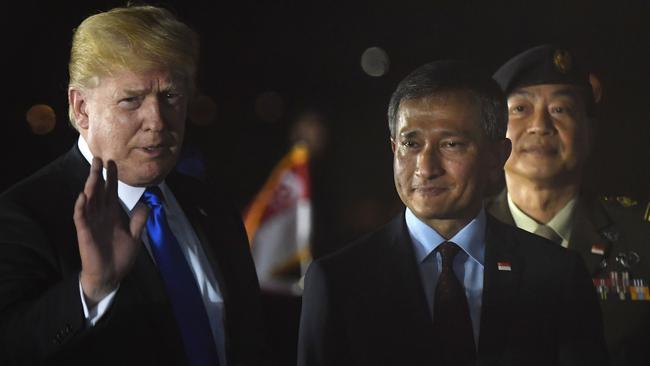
pixel 611 234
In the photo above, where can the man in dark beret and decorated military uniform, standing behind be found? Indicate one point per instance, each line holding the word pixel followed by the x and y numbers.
pixel 551 126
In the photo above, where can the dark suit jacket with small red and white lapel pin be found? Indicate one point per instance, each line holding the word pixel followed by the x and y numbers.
pixel 365 305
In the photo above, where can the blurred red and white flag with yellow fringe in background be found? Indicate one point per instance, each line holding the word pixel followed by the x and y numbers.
pixel 278 223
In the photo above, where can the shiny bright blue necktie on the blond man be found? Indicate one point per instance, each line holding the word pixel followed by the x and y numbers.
pixel 181 285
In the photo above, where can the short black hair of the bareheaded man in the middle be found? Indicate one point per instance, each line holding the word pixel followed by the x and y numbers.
pixel 445 76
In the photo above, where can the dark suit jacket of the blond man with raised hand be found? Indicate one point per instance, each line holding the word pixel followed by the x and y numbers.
pixel 41 316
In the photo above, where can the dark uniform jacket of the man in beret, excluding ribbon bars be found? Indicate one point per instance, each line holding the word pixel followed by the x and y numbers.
pixel 618 230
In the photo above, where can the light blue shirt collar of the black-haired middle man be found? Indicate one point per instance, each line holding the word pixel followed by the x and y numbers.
pixel 425 239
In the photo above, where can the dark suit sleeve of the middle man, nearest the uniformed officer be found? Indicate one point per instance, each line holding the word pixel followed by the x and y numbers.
pixel 581 340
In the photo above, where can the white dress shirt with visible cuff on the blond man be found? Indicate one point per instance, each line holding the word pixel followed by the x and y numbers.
pixel 190 246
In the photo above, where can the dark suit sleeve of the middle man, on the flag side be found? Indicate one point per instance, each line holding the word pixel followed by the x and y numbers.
pixel 321 341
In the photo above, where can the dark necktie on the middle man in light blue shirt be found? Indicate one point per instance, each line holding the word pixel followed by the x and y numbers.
pixel 451 320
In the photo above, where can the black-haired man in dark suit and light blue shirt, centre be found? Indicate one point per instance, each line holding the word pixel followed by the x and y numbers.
pixel 445 283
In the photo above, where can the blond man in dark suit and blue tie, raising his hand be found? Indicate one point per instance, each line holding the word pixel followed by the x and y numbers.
pixel 76 284
